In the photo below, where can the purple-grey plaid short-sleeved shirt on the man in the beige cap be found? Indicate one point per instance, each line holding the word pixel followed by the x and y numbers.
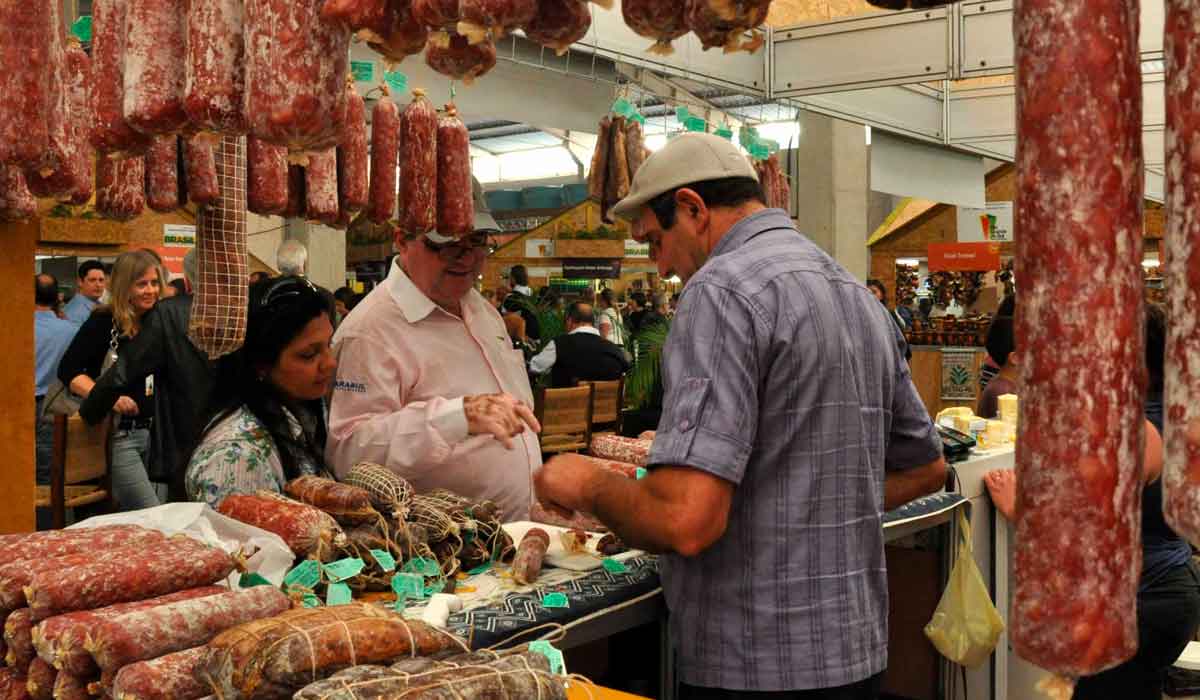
pixel 785 376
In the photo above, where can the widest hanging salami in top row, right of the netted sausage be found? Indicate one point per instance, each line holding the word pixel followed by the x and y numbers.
pixel 296 75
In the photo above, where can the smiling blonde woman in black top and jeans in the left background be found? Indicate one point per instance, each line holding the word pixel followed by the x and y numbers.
pixel 135 290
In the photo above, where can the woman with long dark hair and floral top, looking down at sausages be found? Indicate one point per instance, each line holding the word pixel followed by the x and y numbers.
pixel 267 423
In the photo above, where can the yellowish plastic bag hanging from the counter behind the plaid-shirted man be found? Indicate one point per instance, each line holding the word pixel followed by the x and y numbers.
pixel 965 626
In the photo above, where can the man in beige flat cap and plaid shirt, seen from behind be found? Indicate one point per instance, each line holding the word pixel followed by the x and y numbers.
pixel 790 424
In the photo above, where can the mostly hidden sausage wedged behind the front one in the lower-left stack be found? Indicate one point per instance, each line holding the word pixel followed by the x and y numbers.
pixel 61 641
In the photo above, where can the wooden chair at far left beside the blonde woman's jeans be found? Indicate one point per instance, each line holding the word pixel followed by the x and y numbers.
pixel 80 468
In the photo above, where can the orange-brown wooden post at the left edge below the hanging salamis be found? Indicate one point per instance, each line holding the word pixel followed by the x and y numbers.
pixel 17 480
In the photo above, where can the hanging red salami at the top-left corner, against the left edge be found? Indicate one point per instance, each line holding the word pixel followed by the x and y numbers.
pixel 26 111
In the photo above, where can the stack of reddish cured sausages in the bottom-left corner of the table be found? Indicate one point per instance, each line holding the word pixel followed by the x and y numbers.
pixel 116 611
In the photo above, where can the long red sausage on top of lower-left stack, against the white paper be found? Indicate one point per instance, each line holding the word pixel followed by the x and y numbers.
pixel 178 564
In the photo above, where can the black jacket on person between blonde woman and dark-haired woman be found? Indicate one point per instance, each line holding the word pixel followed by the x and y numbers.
pixel 183 384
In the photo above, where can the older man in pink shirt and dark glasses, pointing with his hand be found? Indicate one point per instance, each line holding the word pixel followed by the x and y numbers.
pixel 428 382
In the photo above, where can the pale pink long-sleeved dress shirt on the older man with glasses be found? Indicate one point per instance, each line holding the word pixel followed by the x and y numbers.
pixel 404 368
